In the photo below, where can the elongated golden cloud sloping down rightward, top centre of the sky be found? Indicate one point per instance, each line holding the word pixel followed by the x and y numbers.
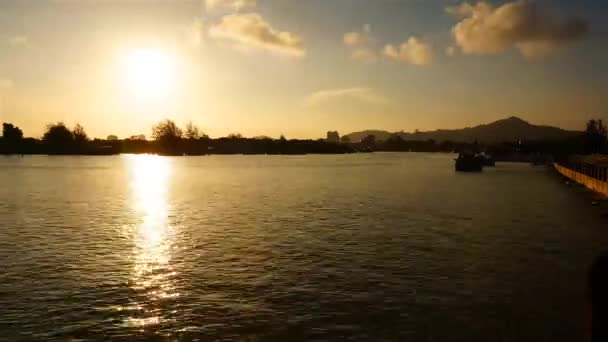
pixel 252 31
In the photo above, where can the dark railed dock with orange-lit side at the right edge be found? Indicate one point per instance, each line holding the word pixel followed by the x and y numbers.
pixel 590 171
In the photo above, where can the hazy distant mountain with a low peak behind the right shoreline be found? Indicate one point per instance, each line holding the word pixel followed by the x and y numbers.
pixel 510 129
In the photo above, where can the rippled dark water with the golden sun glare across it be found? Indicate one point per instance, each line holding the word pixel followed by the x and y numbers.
pixel 361 247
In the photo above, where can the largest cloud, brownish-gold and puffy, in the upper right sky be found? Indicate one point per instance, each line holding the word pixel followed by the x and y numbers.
pixel 486 29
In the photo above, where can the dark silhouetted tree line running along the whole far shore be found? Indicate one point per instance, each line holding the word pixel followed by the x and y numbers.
pixel 169 139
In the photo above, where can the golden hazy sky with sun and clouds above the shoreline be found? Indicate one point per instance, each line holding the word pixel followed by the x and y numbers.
pixel 300 67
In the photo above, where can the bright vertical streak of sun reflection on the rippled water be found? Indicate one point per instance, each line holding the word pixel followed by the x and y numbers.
pixel 152 275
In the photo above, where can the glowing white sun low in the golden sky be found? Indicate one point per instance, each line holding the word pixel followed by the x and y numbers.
pixel 149 73
